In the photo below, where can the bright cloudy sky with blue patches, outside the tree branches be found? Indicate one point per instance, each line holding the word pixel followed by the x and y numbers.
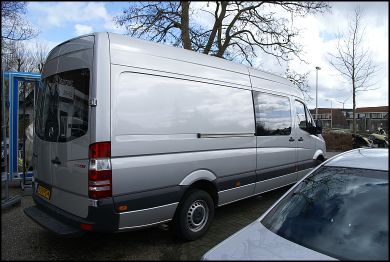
pixel 59 21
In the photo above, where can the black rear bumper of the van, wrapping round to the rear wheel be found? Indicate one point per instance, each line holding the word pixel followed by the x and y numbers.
pixel 145 209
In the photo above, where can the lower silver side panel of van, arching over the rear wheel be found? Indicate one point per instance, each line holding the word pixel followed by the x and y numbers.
pixel 142 173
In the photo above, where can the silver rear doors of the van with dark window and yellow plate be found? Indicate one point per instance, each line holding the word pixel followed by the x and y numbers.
pixel 62 129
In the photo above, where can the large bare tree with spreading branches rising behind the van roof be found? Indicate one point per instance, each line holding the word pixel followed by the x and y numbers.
pixel 238 29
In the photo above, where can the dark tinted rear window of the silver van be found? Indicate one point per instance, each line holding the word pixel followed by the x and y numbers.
pixel 62 106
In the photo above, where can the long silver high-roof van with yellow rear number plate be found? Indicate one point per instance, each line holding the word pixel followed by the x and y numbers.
pixel 131 134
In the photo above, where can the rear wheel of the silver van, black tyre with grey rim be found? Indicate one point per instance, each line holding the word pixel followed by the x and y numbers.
pixel 194 215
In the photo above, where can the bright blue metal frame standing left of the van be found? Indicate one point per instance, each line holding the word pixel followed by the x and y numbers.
pixel 14 79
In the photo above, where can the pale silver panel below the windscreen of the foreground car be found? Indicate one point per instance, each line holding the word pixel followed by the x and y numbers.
pixel 256 242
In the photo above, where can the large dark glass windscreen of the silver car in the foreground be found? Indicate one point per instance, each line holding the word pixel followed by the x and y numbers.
pixel 340 212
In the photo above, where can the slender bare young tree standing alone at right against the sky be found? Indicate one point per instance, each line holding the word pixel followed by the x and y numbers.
pixel 353 61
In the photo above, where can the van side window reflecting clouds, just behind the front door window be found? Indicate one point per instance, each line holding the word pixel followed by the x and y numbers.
pixel 273 114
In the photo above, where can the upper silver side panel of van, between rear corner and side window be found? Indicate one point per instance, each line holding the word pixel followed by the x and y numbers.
pixel 156 114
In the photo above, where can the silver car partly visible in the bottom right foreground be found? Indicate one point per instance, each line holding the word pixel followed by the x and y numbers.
pixel 340 210
